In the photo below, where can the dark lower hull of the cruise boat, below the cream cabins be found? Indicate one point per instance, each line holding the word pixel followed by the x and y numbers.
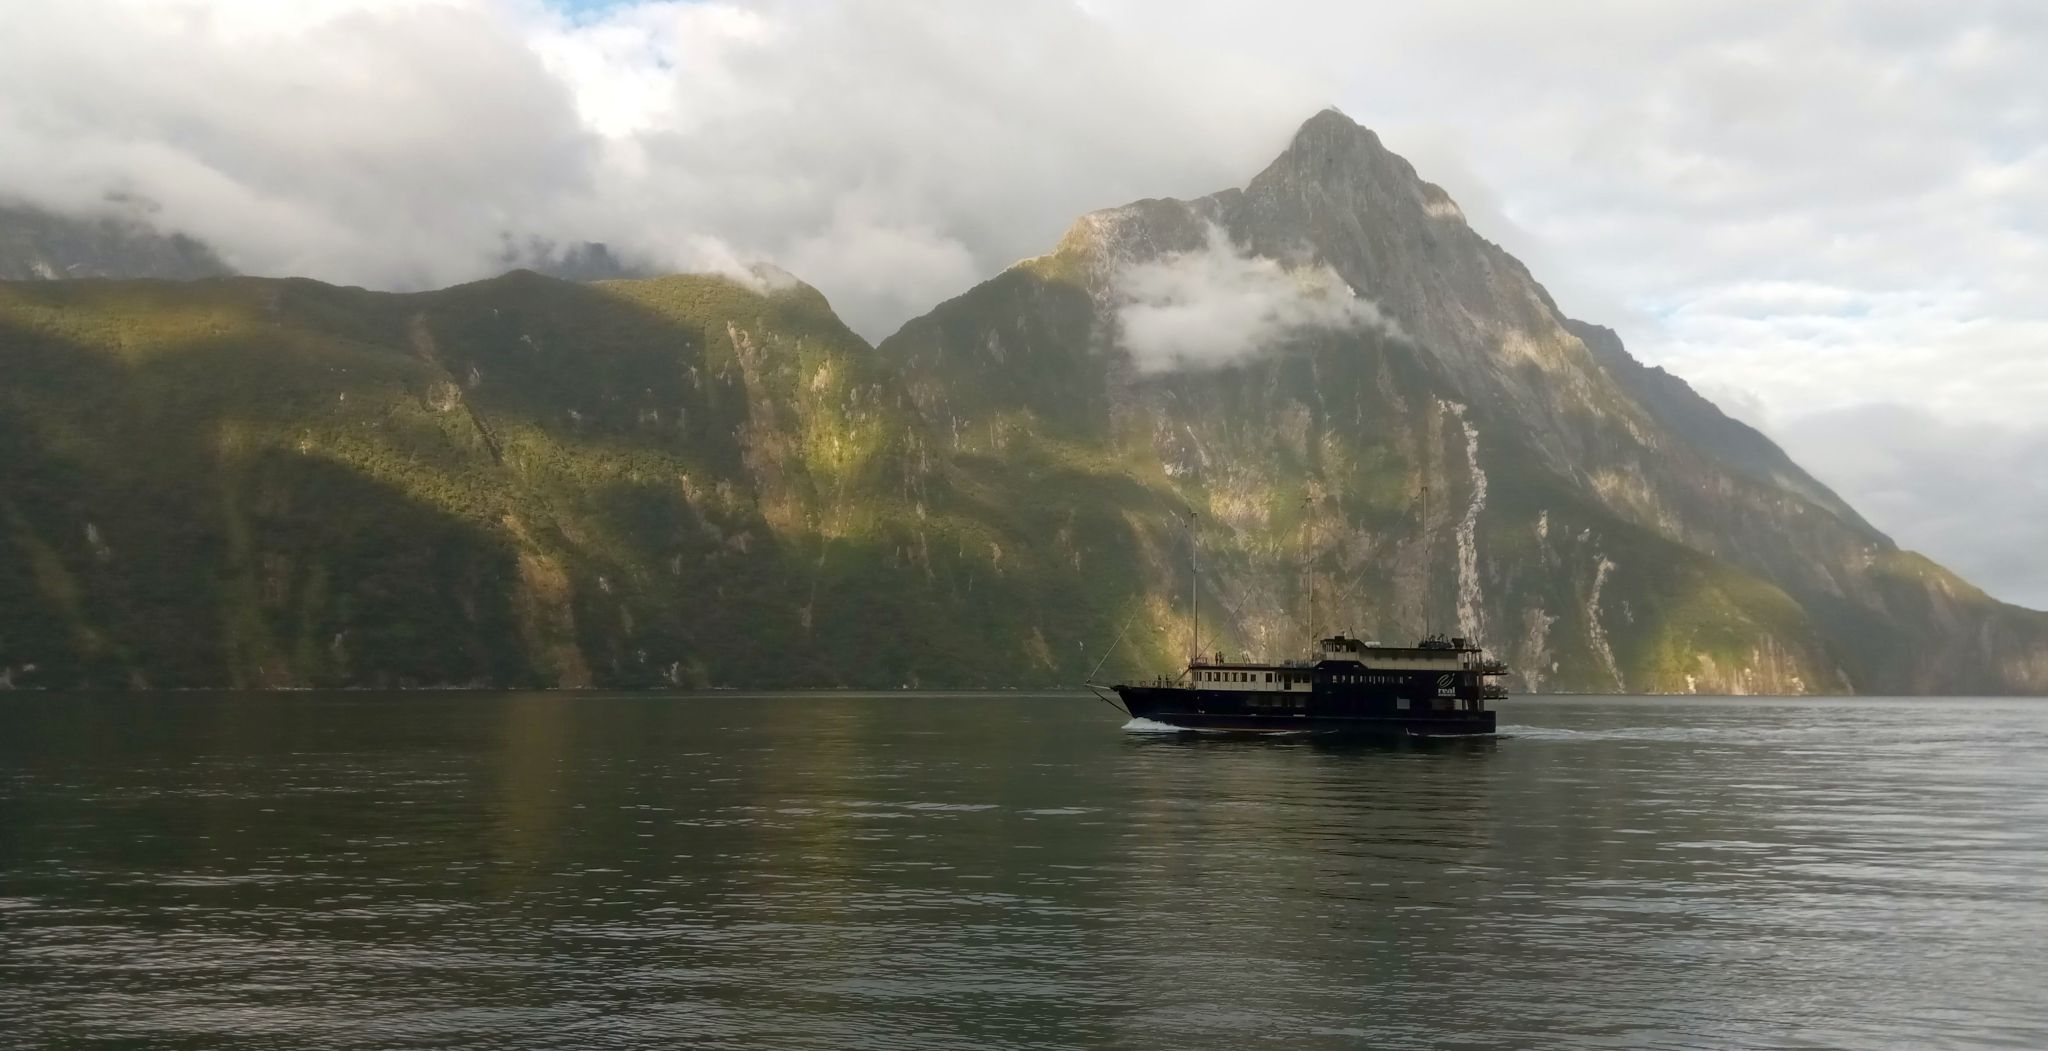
pixel 1234 714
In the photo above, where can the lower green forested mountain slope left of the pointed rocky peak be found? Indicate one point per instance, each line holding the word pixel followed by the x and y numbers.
pixel 517 482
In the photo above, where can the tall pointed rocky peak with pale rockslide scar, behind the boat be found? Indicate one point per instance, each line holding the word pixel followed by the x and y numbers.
pixel 1598 523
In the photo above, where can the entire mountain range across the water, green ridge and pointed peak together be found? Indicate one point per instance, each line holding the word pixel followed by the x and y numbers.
pixel 710 480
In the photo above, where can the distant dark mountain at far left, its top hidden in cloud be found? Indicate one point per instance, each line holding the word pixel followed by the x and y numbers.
pixel 42 245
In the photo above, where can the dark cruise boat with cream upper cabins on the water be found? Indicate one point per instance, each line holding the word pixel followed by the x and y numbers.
pixel 1357 687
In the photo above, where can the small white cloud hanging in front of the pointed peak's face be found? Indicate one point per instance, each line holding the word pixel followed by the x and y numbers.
pixel 1218 306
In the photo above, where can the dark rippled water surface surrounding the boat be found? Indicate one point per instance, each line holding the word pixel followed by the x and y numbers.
pixel 1015 872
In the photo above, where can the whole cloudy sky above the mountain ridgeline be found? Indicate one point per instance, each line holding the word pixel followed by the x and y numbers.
pixel 1832 216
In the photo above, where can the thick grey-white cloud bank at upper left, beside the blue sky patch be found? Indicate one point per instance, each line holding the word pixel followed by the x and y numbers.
pixel 382 144
